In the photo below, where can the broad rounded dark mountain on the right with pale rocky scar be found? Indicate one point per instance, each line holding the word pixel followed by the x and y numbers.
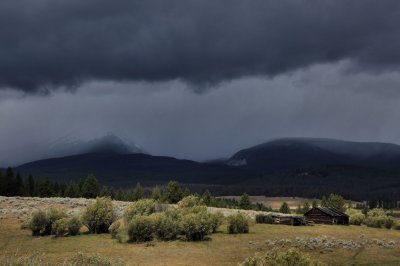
pixel 290 153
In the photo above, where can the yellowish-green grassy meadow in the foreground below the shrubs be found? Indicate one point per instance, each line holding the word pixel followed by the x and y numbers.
pixel 220 249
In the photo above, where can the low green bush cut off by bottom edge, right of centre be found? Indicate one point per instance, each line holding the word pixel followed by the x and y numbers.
pixel 291 257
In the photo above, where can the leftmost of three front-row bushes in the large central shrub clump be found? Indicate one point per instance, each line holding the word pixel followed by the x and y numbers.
pixel 140 229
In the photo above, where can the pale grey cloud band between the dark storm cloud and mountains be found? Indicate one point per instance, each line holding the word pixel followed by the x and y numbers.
pixel 168 118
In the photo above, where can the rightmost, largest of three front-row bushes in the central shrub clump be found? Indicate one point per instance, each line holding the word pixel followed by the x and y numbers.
pixel 196 225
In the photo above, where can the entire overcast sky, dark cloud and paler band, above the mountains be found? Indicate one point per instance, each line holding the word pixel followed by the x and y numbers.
pixel 196 79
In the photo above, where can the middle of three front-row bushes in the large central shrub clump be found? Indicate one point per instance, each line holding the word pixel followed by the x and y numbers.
pixel 166 228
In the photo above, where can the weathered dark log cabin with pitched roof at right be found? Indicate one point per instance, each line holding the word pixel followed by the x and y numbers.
pixel 325 215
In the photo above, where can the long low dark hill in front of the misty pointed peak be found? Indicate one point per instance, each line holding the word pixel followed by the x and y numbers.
pixel 120 169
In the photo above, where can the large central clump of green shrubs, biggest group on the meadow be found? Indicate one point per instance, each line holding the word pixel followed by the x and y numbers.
pixel 190 220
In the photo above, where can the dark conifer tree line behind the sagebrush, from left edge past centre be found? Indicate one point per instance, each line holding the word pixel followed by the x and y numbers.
pixel 12 184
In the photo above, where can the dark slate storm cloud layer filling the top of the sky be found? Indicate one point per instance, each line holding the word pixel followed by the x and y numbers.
pixel 45 44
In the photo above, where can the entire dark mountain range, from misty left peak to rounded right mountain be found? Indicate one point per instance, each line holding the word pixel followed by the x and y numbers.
pixel 309 167
